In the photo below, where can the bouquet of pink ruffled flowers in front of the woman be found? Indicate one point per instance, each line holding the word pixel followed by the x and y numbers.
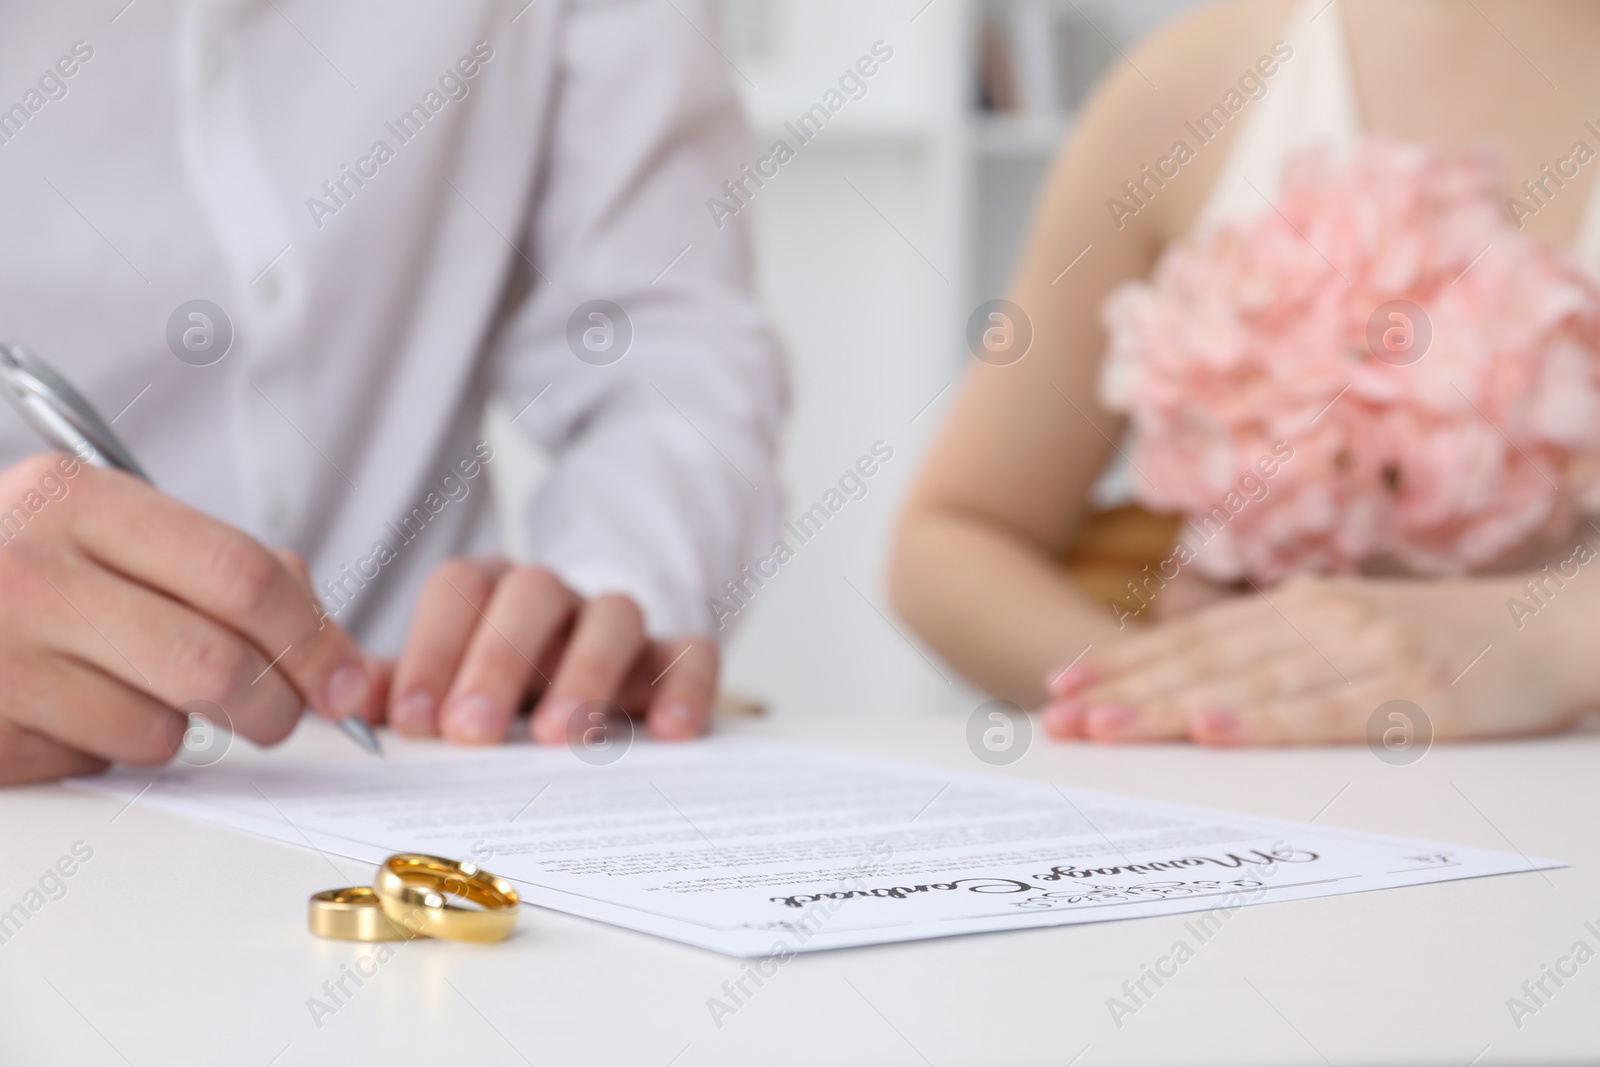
pixel 1447 458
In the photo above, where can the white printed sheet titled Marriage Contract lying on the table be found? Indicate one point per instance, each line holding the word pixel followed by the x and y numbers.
pixel 769 850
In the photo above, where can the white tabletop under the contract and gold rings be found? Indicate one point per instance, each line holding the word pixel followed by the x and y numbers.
pixel 180 943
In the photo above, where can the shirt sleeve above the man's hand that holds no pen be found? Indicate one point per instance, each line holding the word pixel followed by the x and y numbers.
pixel 657 385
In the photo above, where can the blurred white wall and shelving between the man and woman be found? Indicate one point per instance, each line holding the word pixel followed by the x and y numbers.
pixel 876 244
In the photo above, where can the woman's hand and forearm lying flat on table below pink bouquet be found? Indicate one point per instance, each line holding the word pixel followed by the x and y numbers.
pixel 1313 660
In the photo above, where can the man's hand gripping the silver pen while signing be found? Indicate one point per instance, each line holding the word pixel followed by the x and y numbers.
pixel 122 605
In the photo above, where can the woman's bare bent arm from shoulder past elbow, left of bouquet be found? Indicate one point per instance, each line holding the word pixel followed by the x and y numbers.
pixel 977 561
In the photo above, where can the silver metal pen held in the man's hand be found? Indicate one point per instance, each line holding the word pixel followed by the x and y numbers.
pixel 71 423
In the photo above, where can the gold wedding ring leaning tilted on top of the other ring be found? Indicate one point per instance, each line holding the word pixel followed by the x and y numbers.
pixel 414 892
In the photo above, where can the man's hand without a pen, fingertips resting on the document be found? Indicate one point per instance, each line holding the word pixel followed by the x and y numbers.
pixel 489 636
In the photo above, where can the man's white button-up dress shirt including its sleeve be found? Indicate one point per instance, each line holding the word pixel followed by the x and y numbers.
pixel 399 207
